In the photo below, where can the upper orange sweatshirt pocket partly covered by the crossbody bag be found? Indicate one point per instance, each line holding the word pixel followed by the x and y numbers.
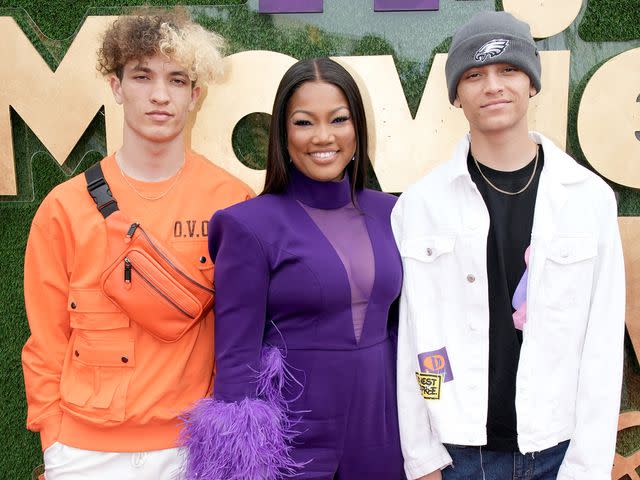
pixel 91 309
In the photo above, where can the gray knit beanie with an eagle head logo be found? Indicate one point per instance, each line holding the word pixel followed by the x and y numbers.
pixel 492 37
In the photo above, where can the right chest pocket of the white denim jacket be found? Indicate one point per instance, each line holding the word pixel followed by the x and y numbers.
pixel 568 272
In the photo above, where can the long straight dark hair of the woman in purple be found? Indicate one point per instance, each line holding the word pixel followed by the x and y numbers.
pixel 315 70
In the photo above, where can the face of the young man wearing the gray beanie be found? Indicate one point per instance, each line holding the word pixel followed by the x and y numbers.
pixel 495 98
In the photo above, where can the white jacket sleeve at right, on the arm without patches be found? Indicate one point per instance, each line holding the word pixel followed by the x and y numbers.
pixel 591 449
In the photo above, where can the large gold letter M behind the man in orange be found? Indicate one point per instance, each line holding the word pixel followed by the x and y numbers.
pixel 57 106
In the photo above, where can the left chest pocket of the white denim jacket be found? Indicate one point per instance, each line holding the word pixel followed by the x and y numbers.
pixel 428 263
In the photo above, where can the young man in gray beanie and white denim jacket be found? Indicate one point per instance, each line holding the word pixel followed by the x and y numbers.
pixel 512 311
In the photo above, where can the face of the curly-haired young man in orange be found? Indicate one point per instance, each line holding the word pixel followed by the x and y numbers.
pixel 157 96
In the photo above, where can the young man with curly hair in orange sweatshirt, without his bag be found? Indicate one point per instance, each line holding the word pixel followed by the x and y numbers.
pixel 103 391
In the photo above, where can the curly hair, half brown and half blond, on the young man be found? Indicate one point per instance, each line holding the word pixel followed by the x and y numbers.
pixel 169 32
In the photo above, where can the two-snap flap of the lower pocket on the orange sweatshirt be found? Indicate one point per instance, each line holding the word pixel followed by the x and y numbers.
pixel 104 352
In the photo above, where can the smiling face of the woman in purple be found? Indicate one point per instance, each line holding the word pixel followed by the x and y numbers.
pixel 321 139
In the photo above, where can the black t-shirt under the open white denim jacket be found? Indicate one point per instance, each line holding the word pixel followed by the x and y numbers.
pixel 511 220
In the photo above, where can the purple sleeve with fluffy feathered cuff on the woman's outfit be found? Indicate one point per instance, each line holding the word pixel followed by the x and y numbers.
pixel 244 430
